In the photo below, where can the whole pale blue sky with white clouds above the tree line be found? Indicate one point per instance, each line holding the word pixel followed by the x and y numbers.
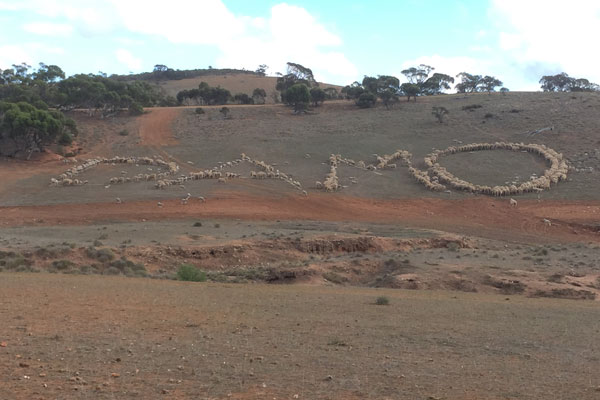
pixel 517 41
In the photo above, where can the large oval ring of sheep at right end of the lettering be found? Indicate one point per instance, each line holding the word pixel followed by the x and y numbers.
pixel 556 172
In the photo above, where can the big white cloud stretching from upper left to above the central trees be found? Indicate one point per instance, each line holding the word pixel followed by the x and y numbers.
pixel 242 41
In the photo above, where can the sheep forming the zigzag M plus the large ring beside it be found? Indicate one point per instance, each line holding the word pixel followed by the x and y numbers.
pixel 437 177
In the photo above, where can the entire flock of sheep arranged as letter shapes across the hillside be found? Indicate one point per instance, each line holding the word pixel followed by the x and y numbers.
pixel 434 178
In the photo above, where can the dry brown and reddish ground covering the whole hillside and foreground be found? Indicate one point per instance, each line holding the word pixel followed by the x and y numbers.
pixel 486 300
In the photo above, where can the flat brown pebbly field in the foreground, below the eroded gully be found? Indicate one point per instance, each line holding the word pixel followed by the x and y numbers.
pixel 138 338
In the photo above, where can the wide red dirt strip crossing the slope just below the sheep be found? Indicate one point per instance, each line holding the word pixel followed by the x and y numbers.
pixel 572 221
